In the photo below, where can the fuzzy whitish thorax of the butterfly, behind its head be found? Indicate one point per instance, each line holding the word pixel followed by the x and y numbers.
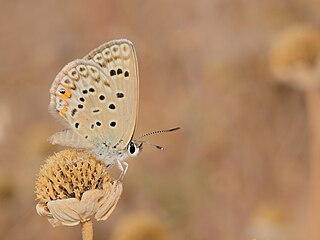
pixel 109 155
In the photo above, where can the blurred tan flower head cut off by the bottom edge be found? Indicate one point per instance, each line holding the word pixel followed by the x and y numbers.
pixel 140 226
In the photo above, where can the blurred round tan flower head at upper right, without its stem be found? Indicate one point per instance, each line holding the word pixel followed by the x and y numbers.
pixel 295 57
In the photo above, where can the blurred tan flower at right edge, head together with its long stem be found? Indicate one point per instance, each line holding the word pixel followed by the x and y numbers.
pixel 295 60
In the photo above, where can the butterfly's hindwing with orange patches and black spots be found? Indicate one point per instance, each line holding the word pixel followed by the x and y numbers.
pixel 81 95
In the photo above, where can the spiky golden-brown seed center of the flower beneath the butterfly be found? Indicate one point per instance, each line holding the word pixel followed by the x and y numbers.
pixel 68 174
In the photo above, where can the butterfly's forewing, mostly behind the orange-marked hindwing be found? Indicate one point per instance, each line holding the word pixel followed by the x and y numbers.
pixel 119 63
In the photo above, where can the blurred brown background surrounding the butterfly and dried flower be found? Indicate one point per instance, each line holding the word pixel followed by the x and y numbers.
pixel 238 169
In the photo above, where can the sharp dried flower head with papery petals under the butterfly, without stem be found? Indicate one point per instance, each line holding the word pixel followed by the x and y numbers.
pixel 73 187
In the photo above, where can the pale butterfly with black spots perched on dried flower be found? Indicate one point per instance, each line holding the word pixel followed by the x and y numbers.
pixel 97 99
